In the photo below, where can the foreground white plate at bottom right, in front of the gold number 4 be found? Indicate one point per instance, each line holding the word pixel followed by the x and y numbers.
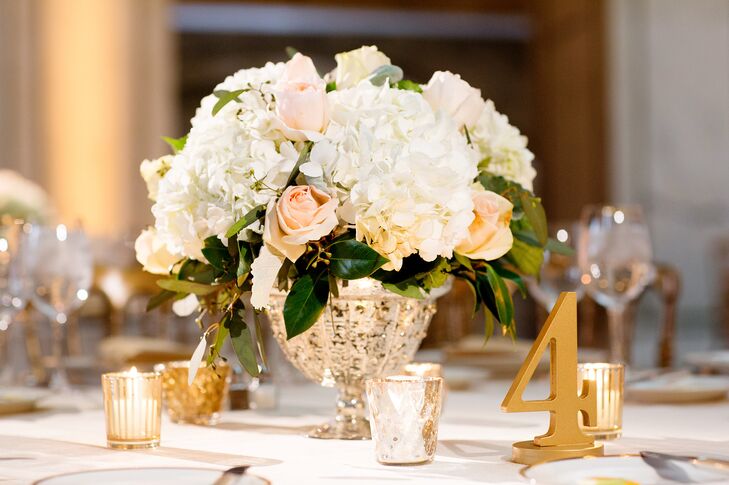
pixel 610 470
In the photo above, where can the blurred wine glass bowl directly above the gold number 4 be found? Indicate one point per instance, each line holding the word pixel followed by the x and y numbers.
pixel 560 272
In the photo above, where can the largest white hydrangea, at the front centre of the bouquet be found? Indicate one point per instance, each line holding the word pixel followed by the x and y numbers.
pixel 405 170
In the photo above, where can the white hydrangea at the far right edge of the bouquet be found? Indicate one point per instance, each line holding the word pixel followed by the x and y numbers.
pixel 501 148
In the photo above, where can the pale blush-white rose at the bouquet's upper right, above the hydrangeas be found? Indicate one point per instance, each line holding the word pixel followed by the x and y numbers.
pixel 450 93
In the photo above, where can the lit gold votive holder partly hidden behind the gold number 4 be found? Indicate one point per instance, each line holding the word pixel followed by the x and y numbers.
pixel 609 381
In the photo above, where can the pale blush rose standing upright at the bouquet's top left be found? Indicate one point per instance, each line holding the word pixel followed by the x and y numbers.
pixel 301 98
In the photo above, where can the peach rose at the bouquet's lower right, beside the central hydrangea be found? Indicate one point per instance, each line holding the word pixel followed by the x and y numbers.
pixel 489 235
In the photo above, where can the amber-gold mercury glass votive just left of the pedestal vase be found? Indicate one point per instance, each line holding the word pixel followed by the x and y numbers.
pixel 199 403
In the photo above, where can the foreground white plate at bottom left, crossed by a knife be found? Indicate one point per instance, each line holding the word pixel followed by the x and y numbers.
pixel 136 476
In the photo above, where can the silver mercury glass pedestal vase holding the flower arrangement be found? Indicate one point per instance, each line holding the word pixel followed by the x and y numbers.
pixel 363 333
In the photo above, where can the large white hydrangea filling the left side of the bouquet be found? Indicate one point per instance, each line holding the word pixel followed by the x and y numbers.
pixel 232 161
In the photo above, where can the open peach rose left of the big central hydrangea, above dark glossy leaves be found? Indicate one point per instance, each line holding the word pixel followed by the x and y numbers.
pixel 302 214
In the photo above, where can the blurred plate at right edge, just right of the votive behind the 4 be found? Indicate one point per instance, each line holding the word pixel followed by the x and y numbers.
pixel 682 389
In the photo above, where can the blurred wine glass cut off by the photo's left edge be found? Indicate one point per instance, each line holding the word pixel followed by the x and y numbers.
pixel 15 290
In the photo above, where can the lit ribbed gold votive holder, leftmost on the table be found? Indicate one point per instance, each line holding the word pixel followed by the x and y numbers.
pixel 133 408
